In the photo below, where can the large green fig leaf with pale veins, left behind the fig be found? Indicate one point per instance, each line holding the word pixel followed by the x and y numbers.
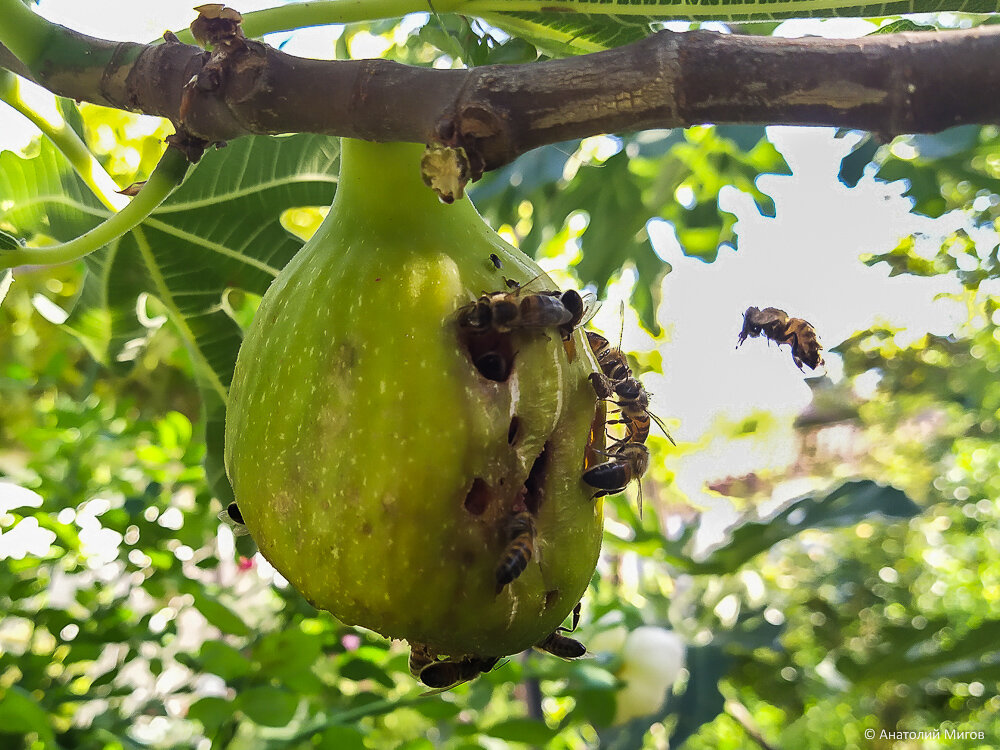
pixel 221 229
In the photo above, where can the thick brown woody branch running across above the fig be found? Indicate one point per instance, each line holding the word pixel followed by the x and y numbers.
pixel 891 84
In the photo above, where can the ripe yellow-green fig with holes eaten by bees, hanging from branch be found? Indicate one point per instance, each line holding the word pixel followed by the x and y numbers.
pixel 357 424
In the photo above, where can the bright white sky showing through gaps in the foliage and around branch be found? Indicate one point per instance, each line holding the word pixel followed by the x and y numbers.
pixel 804 261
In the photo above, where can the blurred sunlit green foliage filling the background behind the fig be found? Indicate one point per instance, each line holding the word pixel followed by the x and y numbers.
pixel 132 618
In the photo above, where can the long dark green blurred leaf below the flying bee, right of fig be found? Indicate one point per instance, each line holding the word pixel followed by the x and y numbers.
pixel 849 504
